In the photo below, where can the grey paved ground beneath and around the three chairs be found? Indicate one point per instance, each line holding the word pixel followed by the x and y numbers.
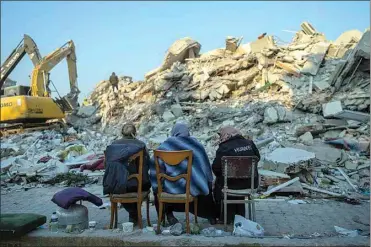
pixel 315 220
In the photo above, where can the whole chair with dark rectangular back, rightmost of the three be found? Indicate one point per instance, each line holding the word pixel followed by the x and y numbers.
pixel 238 167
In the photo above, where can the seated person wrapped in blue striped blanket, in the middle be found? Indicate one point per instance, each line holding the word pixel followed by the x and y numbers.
pixel 201 178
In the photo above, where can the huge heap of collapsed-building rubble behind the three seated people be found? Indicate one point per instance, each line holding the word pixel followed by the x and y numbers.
pixel 305 104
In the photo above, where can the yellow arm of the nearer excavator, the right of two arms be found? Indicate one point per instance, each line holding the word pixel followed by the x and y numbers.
pixel 39 84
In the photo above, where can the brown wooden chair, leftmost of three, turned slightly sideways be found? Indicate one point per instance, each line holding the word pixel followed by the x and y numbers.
pixel 134 197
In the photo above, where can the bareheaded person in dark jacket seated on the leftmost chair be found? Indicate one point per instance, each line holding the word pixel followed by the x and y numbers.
pixel 117 167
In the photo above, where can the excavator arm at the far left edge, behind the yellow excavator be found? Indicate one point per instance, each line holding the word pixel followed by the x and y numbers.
pixel 27 45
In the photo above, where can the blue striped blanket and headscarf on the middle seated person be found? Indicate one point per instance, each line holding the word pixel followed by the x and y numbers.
pixel 201 169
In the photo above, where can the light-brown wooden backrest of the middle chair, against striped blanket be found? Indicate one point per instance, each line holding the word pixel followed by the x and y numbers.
pixel 173 158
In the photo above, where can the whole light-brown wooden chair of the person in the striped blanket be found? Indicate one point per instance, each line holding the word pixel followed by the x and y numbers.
pixel 173 158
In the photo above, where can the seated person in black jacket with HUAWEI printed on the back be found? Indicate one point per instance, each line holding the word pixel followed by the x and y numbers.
pixel 232 143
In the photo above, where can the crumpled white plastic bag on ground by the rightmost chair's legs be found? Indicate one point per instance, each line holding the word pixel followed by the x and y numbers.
pixel 247 228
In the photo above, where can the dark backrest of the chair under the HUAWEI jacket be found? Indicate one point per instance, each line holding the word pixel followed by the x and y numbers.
pixel 238 167
